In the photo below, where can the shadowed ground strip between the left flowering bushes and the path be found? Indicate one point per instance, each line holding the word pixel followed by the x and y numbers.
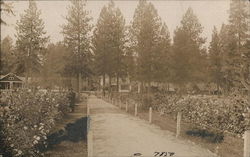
pixel 69 136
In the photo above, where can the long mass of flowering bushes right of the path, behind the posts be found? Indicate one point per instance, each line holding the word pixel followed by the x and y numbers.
pixel 220 114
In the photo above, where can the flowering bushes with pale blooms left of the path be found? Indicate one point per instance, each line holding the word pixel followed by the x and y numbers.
pixel 27 118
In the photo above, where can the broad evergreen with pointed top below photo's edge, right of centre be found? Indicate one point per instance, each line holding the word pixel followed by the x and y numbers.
pixel 188 57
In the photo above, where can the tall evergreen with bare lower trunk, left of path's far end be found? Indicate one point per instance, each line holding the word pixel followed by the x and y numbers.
pixel 76 34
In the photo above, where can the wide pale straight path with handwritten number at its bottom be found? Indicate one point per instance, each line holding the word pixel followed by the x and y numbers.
pixel 116 133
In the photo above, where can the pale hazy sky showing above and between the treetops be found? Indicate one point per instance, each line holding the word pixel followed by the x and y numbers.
pixel 210 13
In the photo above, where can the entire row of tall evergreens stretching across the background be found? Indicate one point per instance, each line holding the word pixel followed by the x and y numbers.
pixel 142 51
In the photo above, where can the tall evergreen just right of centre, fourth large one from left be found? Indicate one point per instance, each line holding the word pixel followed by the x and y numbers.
pixel 145 34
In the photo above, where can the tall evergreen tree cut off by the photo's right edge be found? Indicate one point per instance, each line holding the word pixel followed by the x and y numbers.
pixel 239 28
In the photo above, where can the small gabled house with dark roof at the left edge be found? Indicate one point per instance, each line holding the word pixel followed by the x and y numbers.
pixel 11 81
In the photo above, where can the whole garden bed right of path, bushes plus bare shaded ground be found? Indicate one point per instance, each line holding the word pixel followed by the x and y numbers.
pixel 216 123
